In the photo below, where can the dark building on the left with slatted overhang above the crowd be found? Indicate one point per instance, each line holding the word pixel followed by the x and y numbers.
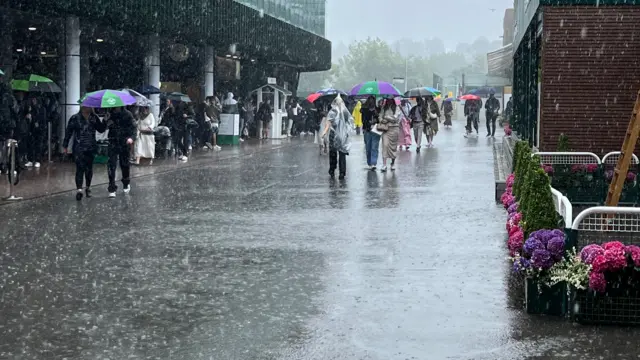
pixel 199 47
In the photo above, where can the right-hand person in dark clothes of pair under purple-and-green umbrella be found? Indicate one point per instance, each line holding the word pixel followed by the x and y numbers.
pixel 122 131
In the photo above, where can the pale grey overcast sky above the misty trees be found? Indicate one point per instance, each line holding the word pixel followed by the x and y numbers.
pixel 453 21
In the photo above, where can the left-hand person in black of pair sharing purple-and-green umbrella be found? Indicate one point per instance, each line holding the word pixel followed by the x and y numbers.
pixel 82 127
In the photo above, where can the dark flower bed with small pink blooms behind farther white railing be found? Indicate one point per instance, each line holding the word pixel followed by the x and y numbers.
pixel 580 183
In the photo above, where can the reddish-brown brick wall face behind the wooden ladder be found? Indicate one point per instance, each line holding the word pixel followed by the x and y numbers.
pixel 590 75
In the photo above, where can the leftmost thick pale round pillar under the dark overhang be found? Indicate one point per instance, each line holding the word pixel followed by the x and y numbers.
pixel 71 71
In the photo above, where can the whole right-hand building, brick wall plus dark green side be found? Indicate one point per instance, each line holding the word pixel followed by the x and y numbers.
pixel 576 72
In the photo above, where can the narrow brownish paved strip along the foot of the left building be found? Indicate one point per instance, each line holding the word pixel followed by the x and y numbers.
pixel 59 177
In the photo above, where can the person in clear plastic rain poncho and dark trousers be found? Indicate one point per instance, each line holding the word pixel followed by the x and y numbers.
pixel 339 121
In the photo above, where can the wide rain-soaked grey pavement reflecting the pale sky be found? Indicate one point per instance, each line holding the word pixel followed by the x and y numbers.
pixel 264 257
